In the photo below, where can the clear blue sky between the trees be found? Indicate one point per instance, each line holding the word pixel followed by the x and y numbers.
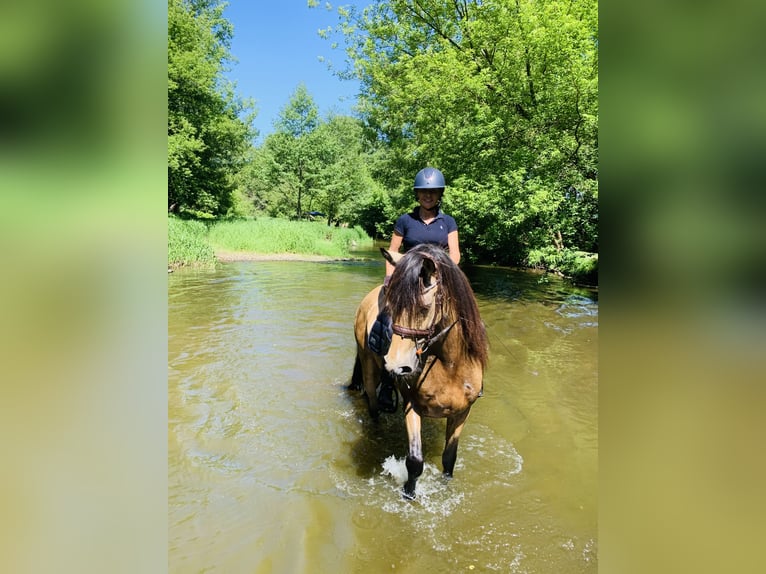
pixel 277 46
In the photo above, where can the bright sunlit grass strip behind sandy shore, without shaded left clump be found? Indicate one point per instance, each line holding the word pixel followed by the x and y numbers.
pixel 268 236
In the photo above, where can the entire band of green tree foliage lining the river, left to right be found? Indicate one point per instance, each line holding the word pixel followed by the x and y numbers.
pixel 501 95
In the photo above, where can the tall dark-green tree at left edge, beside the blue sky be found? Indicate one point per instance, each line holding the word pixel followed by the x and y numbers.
pixel 207 139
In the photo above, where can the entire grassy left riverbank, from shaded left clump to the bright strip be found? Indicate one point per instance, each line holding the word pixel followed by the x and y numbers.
pixel 194 243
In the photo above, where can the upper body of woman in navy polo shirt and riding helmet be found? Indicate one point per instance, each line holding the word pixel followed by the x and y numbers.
pixel 427 223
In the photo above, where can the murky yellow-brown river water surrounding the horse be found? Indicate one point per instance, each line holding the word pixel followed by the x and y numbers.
pixel 275 467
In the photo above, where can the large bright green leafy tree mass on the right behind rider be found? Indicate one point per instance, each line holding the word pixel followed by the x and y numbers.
pixel 499 94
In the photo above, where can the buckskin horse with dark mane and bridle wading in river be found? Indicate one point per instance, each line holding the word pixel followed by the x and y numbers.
pixel 438 348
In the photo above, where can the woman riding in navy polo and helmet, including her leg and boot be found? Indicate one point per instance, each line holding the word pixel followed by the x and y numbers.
pixel 427 223
